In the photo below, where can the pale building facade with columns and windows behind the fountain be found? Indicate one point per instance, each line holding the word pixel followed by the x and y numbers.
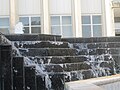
pixel 69 18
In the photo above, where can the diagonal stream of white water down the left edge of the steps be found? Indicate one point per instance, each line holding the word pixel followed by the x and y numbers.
pixel 40 69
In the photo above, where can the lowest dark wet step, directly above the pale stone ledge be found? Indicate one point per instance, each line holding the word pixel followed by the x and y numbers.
pixel 61 78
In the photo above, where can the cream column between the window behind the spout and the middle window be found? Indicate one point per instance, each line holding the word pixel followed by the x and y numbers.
pixel 45 17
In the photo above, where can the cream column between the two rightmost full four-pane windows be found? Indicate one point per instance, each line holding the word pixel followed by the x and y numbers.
pixel 76 17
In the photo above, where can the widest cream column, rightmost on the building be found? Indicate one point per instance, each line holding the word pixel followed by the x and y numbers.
pixel 108 18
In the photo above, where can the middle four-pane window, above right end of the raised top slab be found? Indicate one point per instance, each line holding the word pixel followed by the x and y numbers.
pixel 61 25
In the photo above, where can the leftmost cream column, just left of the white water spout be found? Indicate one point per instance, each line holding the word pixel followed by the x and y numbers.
pixel 13 14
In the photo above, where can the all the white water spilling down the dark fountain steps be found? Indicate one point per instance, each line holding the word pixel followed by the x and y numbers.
pixel 99 67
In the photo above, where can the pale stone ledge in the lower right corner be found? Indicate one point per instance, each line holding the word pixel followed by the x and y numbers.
pixel 102 83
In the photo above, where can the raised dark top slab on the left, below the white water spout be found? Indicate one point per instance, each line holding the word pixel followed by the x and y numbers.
pixel 33 37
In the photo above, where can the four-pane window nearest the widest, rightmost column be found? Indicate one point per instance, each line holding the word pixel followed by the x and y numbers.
pixel 91 26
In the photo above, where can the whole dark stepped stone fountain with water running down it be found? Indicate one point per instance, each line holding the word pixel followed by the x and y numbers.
pixel 52 63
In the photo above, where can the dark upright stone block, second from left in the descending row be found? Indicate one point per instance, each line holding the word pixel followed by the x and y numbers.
pixel 18 73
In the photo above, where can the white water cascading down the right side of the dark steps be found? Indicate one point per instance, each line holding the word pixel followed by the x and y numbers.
pixel 95 60
